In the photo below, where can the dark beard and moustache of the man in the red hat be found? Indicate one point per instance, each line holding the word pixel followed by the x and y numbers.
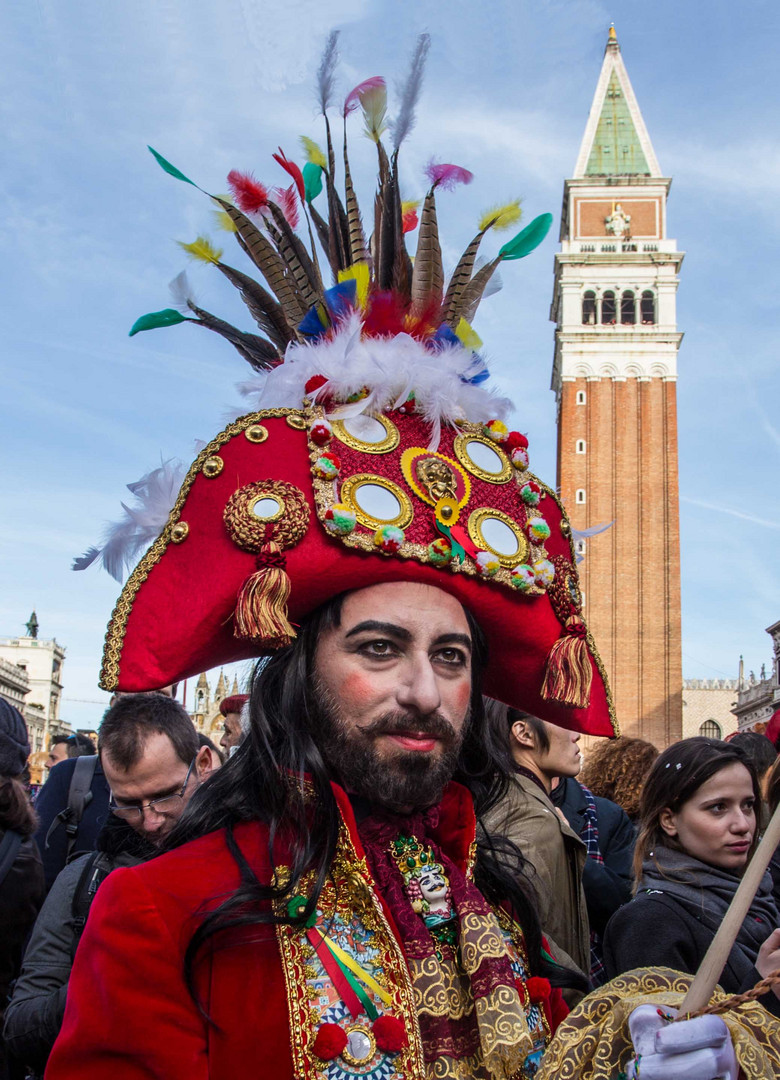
pixel 401 784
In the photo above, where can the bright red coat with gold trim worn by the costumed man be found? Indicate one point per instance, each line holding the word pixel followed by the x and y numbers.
pixel 130 1015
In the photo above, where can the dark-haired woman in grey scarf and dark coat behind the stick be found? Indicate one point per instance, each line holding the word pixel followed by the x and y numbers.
pixel 697 834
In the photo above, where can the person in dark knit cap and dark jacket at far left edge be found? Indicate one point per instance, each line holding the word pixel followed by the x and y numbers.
pixel 22 882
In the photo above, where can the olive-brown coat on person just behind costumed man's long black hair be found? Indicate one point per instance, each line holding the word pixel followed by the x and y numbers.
pixel 557 855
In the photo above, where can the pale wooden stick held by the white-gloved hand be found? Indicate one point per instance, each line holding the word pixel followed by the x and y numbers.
pixel 711 967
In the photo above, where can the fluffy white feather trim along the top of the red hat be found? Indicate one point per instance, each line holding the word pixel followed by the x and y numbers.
pixel 392 369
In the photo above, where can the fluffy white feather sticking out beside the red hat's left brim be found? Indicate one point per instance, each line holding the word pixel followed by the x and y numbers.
pixel 124 542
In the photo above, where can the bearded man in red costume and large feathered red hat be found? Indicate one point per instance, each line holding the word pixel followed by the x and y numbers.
pixel 373 528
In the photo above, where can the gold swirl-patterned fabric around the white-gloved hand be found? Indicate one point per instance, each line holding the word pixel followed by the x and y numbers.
pixel 594 1043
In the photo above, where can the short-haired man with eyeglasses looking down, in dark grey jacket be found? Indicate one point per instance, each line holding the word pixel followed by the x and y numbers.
pixel 152 760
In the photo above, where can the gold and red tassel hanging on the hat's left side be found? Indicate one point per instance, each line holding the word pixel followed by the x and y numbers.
pixel 262 606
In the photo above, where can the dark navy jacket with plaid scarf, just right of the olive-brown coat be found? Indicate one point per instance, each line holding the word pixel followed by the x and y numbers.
pixel 608 880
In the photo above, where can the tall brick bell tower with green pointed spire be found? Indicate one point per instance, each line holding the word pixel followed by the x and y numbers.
pixel 614 375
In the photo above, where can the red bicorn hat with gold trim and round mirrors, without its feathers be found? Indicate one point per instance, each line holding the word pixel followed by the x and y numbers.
pixel 286 510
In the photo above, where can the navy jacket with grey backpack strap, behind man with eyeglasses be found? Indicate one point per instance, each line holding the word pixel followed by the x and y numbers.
pixel 52 838
